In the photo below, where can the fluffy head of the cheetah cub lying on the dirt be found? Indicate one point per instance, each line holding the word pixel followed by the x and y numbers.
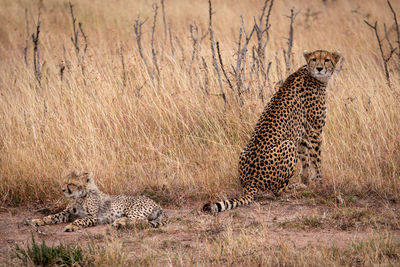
pixel 77 184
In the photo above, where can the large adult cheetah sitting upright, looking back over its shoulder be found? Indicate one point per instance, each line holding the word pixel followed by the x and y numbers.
pixel 289 128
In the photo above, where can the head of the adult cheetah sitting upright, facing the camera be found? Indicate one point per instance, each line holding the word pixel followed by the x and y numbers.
pixel 321 64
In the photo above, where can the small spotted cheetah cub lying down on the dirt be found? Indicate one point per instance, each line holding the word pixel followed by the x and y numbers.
pixel 92 207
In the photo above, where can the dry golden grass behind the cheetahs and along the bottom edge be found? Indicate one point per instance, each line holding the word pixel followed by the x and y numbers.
pixel 172 137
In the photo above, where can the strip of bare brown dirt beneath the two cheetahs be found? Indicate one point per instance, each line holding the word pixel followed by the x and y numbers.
pixel 302 222
